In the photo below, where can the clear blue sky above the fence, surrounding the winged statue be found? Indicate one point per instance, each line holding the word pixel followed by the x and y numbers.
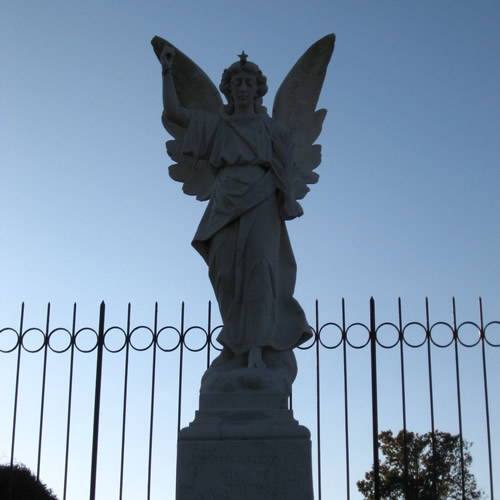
pixel 407 202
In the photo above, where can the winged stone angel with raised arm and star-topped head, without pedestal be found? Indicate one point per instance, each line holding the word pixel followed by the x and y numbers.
pixel 252 169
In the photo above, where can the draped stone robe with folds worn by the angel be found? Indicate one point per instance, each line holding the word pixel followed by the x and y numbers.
pixel 242 235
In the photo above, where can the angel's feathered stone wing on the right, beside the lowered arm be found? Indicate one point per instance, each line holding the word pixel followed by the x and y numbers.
pixel 295 106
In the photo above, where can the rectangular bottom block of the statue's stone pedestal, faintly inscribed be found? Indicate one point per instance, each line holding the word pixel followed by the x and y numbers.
pixel 241 469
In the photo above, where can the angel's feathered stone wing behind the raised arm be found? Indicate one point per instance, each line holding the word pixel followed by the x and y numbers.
pixel 195 91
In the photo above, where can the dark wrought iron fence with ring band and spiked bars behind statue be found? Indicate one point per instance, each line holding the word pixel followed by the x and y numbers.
pixel 162 340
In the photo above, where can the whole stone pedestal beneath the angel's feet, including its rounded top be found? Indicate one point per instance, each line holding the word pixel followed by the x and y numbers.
pixel 244 443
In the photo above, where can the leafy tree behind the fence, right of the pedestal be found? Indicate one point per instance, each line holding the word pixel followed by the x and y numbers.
pixel 425 471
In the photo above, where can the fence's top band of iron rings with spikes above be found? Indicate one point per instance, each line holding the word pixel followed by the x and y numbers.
pixel 167 338
